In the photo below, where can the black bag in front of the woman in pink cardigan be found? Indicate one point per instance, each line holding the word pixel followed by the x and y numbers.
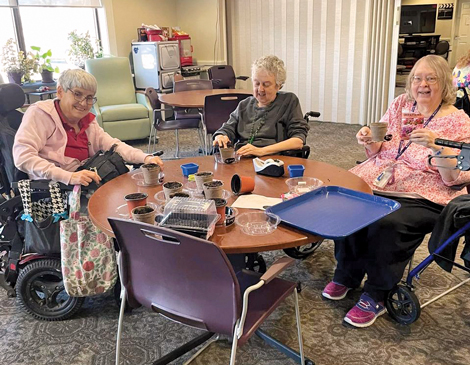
pixel 107 165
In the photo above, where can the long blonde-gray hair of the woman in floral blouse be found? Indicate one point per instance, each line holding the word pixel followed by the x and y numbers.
pixel 444 78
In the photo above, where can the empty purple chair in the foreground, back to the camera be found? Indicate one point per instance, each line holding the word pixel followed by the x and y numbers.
pixel 168 272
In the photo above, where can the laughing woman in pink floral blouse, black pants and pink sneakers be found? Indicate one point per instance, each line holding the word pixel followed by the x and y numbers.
pixel 399 169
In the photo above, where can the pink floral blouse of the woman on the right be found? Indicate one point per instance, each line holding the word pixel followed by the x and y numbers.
pixel 412 172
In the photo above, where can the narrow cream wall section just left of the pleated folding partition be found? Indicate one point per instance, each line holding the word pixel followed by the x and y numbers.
pixel 204 21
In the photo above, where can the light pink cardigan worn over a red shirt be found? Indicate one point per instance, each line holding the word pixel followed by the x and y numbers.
pixel 40 144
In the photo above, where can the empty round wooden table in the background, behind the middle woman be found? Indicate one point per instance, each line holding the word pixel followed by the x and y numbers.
pixel 195 98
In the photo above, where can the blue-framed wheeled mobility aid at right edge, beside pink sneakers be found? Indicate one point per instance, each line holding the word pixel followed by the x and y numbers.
pixel 402 303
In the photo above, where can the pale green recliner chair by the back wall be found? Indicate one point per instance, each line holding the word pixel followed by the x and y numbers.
pixel 120 110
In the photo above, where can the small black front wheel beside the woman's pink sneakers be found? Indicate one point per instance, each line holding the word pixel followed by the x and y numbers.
pixel 403 305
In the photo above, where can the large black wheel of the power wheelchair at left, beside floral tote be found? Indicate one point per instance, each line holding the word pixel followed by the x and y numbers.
pixel 41 291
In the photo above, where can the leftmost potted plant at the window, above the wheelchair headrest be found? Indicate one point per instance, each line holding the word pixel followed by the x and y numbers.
pixel 18 65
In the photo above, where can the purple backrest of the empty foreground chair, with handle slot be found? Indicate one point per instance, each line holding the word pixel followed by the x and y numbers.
pixel 185 278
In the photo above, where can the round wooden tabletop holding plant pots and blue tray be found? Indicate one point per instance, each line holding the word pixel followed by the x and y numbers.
pixel 105 201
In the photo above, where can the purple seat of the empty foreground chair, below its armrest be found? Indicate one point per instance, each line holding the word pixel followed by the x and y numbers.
pixel 261 302
